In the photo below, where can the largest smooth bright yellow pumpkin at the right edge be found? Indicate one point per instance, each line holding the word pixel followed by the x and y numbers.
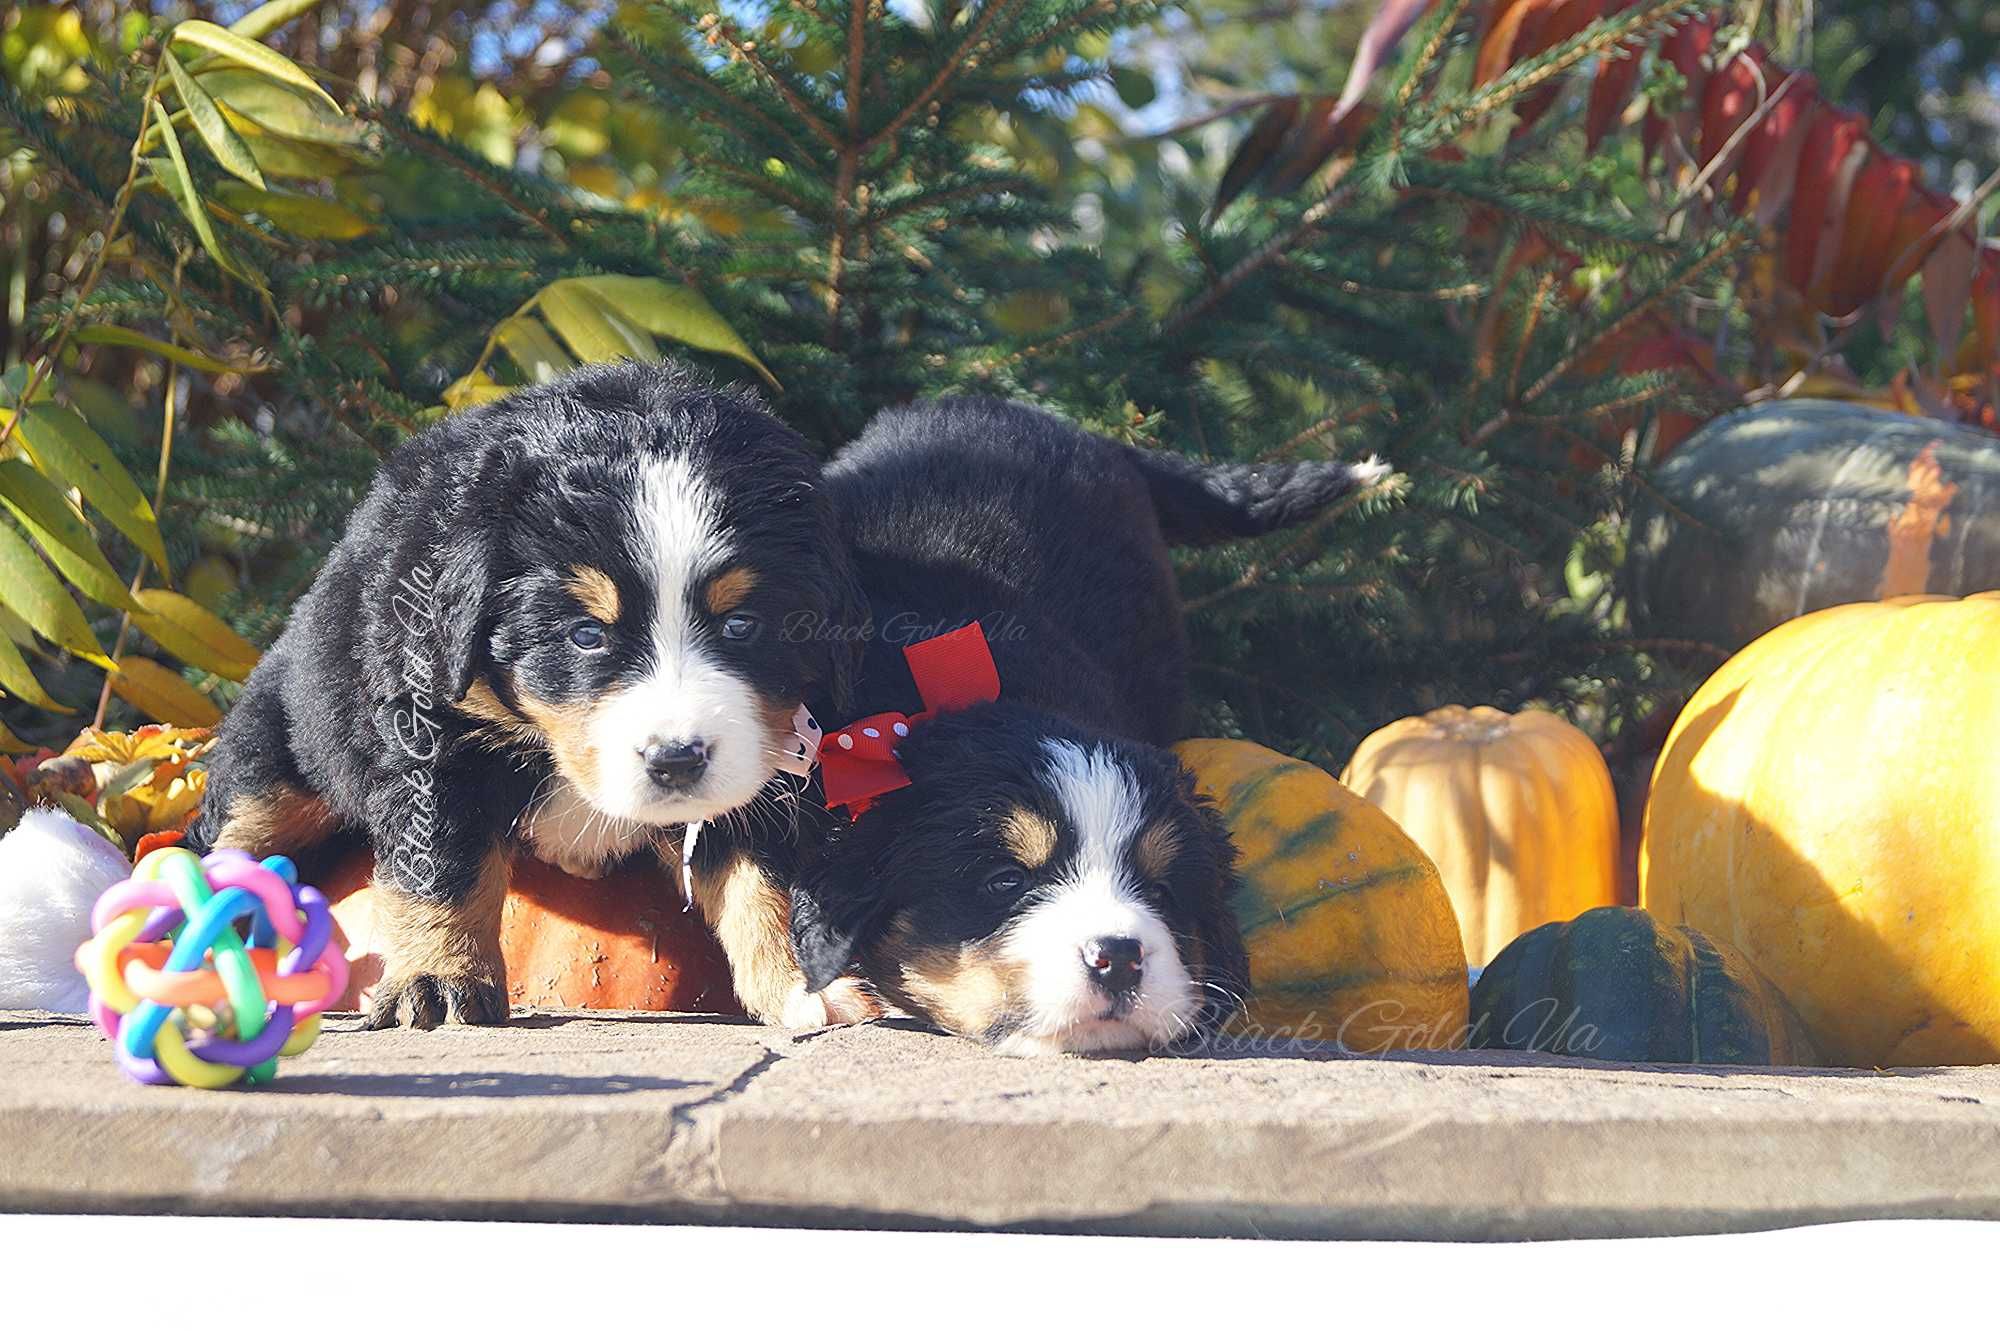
pixel 1831 804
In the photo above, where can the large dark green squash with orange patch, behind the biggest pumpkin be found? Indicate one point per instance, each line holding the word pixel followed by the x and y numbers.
pixel 1795 507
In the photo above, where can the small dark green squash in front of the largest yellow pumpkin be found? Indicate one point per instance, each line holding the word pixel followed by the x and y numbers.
pixel 1617 984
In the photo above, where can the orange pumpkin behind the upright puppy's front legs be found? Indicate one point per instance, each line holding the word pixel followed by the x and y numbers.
pixel 615 942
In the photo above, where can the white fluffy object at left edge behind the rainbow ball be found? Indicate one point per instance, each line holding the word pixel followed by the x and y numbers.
pixel 53 870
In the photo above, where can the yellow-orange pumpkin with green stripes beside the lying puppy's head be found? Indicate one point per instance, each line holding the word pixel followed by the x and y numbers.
pixel 1349 930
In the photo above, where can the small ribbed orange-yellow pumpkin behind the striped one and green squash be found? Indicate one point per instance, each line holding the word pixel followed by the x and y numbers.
pixel 1515 810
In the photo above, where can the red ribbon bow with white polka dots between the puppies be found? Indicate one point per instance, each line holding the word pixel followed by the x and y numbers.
pixel 953 672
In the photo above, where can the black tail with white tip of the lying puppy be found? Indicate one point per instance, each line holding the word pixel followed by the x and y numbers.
pixel 1203 505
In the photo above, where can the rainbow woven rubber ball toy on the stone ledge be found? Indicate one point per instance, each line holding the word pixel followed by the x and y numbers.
pixel 207 972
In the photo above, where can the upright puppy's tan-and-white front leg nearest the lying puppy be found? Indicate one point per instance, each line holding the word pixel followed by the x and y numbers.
pixel 751 914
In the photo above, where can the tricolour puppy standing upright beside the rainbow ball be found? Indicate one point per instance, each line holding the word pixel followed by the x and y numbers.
pixel 551 623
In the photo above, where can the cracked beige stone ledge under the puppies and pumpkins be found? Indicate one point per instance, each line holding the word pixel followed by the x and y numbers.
pixel 667 1118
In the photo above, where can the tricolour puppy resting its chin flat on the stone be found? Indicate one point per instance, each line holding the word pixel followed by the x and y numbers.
pixel 1047 880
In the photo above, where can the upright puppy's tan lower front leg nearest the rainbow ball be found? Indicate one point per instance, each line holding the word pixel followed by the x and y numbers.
pixel 443 940
